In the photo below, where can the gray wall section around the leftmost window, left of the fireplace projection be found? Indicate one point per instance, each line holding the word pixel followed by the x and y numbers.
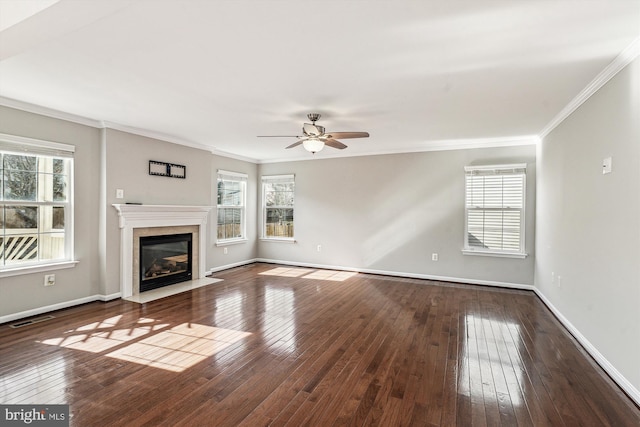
pixel 26 291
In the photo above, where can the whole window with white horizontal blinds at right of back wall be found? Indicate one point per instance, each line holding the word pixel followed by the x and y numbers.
pixel 494 210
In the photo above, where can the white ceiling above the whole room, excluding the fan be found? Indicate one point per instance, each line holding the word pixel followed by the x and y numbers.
pixel 215 74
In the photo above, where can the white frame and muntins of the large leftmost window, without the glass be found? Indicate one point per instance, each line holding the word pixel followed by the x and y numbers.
pixel 21 146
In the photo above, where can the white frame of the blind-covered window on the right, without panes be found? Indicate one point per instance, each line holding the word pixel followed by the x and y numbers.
pixel 519 169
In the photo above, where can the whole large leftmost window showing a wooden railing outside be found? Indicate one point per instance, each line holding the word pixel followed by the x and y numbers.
pixel 35 202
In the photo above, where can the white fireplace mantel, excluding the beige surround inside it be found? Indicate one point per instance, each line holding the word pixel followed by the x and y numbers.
pixel 143 216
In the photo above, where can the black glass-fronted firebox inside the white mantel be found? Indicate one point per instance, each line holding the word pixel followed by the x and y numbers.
pixel 165 260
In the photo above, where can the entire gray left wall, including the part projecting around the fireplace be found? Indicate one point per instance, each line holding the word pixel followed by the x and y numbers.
pixel 106 160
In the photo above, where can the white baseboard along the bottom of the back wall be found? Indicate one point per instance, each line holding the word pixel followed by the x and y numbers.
pixel 402 274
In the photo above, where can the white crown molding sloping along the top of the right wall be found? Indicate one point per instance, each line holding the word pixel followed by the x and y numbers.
pixel 625 58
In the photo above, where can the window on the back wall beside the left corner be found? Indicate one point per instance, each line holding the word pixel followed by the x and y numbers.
pixel 277 207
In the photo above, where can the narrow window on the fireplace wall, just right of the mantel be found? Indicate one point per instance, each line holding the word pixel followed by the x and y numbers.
pixel 231 206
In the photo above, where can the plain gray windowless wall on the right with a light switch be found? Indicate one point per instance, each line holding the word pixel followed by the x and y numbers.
pixel 588 224
